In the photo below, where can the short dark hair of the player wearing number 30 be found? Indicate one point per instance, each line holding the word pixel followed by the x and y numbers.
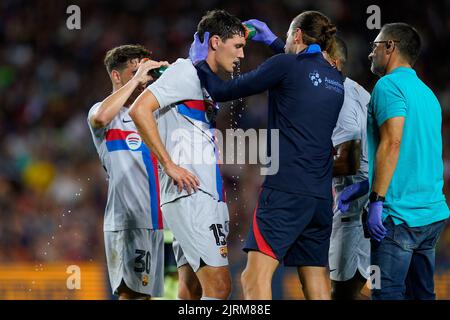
pixel 117 58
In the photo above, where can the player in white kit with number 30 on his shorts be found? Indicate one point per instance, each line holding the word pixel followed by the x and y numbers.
pixel 133 219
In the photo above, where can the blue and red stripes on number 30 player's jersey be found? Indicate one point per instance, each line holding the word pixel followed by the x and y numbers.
pixel 116 141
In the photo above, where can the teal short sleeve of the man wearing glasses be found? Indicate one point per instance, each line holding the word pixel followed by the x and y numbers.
pixel 387 101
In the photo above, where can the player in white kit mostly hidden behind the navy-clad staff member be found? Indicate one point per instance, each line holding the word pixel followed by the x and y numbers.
pixel 349 254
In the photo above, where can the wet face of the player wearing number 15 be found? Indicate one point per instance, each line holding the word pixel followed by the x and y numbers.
pixel 230 52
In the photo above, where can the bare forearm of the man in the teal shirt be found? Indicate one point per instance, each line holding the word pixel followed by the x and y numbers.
pixel 385 164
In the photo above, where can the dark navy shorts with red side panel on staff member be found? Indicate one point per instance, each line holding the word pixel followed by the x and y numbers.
pixel 292 228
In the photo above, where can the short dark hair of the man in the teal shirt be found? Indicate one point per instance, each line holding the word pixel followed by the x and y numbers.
pixel 407 40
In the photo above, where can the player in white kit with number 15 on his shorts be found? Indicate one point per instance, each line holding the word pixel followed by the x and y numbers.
pixel 199 221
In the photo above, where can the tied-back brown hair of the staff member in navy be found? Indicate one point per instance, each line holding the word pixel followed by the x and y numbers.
pixel 316 28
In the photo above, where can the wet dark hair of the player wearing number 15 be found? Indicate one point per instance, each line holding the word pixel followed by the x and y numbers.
pixel 220 23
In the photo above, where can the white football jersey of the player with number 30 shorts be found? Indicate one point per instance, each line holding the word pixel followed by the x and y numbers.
pixel 133 186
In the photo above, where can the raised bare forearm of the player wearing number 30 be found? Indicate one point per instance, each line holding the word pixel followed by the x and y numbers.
pixel 110 107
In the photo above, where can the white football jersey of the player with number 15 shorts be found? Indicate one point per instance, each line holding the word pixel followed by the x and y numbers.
pixel 186 125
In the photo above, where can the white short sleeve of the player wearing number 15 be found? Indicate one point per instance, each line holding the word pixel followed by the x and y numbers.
pixel 178 83
